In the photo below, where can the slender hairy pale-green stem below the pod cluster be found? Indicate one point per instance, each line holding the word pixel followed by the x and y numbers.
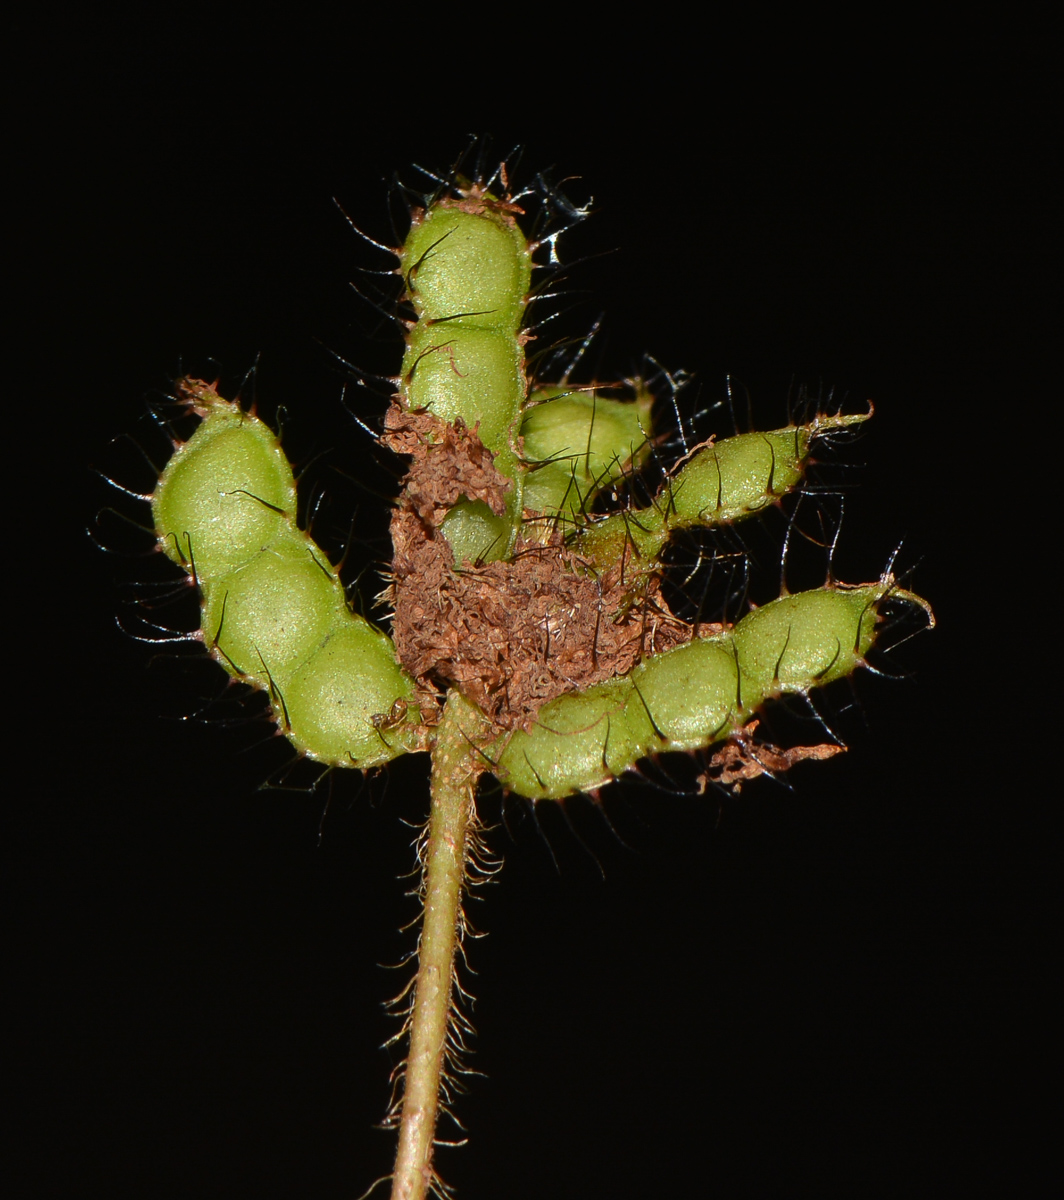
pixel 456 766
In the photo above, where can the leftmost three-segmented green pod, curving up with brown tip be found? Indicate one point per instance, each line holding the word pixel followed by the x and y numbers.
pixel 274 610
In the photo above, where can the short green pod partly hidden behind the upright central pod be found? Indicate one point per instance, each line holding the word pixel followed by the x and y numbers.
pixel 578 443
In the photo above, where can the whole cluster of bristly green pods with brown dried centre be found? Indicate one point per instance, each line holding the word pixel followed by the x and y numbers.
pixel 506 585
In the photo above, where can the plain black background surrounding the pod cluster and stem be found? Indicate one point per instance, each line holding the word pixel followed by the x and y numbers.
pixel 839 989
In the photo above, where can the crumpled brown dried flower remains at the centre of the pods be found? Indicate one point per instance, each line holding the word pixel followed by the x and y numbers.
pixel 512 635
